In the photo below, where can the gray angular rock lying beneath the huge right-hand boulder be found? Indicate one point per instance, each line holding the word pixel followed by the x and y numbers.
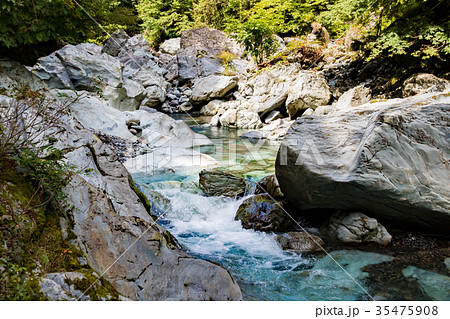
pixel 355 228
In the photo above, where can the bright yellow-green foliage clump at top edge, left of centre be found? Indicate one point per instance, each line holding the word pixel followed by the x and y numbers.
pixel 163 19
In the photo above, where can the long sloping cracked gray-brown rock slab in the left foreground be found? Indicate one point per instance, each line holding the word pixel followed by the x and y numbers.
pixel 110 224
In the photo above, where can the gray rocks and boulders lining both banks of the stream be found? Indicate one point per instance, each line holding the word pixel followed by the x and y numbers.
pixel 354 170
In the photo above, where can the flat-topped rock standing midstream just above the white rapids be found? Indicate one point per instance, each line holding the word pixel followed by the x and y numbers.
pixel 217 183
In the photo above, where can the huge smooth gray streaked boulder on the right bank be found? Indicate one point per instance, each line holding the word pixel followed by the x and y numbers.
pixel 389 159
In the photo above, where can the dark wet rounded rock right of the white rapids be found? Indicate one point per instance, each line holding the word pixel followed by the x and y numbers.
pixel 261 212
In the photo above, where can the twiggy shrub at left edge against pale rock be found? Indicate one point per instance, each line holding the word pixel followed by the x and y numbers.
pixel 26 119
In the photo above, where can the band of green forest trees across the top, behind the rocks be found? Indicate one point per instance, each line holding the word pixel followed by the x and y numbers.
pixel 415 30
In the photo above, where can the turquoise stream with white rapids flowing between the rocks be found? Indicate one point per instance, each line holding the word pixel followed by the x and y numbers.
pixel 206 228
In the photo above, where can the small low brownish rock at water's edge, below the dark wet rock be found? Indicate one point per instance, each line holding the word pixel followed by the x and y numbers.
pixel 300 242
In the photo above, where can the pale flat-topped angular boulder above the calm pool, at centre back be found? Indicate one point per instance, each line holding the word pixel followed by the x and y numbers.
pixel 212 87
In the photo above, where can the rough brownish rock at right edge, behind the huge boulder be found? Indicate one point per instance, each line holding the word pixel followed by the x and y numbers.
pixel 424 83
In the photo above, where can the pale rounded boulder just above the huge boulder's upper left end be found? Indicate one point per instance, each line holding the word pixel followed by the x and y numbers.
pixel 309 90
